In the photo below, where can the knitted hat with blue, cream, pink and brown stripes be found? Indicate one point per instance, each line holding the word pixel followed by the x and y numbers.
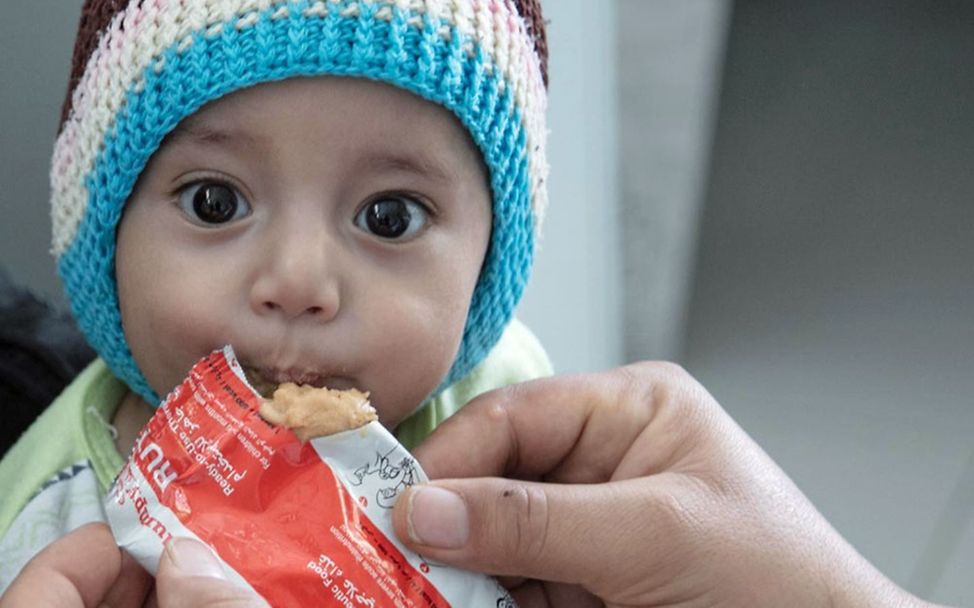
pixel 142 66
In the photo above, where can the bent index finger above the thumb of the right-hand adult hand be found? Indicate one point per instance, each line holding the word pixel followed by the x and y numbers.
pixel 569 429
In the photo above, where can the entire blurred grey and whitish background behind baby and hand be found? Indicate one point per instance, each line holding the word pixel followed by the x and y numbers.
pixel 777 195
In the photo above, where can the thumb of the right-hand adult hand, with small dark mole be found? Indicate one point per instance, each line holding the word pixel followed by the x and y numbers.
pixel 572 533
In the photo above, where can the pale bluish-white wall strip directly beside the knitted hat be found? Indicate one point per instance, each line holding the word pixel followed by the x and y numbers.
pixel 573 302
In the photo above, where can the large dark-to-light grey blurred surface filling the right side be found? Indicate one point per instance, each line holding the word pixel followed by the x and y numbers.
pixel 832 311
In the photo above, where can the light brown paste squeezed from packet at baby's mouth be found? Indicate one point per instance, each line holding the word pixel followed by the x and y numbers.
pixel 315 412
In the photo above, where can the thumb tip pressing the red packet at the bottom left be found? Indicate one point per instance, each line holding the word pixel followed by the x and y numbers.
pixel 190 575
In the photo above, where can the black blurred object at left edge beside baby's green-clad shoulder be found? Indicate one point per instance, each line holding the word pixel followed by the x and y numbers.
pixel 41 351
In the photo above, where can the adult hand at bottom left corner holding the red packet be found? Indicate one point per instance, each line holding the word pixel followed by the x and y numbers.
pixel 86 568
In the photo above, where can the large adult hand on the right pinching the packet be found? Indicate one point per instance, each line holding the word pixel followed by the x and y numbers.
pixel 629 488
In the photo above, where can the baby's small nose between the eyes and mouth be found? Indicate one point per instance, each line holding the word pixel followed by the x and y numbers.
pixel 299 278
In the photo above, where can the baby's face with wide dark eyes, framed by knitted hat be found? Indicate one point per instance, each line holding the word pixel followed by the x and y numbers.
pixel 332 230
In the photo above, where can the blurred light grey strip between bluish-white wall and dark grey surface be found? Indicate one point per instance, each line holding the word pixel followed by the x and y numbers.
pixel 670 61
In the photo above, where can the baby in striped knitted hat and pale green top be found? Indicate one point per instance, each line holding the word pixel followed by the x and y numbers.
pixel 346 191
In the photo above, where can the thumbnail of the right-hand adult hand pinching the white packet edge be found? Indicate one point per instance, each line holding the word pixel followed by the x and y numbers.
pixel 438 518
